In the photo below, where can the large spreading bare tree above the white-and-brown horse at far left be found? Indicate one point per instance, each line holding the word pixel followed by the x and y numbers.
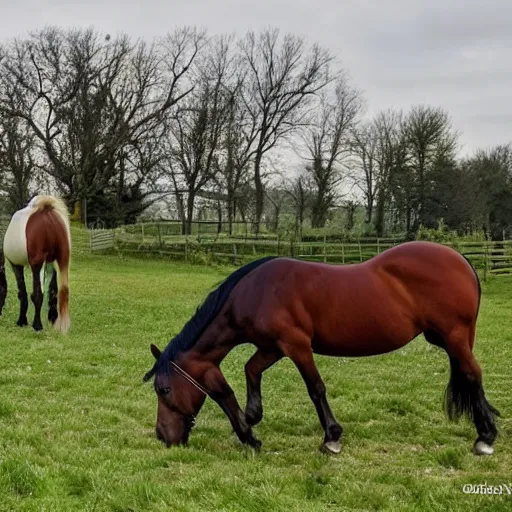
pixel 86 98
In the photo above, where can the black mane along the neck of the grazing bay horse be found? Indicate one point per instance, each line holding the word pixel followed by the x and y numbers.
pixel 202 318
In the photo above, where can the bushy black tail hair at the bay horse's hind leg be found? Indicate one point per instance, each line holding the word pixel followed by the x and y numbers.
pixel 465 396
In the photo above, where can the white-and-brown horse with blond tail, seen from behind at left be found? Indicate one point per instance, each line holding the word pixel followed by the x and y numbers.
pixel 36 235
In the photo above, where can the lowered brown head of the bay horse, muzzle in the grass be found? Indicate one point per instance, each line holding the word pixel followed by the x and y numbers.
pixel 179 401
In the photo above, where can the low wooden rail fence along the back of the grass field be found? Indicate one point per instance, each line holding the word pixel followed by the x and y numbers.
pixel 489 258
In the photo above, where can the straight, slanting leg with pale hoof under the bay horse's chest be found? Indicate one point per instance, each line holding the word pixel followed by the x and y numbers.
pixel 303 359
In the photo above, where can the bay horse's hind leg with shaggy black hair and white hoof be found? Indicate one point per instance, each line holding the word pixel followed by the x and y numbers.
pixel 465 393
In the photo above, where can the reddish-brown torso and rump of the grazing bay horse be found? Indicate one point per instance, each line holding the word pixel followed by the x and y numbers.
pixel 361 309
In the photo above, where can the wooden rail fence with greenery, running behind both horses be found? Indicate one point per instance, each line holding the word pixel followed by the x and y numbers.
pixel 489 258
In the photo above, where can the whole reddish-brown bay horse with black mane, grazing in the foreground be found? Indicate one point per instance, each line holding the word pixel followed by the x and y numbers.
pixel 295 309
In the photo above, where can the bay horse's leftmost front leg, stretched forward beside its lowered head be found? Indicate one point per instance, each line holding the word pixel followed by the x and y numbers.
pixel 221 392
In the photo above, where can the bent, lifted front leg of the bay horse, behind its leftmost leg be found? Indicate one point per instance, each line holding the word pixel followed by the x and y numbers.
pixel 257 364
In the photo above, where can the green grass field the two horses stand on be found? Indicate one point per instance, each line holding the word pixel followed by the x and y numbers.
pixel 77 424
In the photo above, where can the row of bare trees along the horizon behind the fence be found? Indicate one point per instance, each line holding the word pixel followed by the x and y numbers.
pixel 115 125
